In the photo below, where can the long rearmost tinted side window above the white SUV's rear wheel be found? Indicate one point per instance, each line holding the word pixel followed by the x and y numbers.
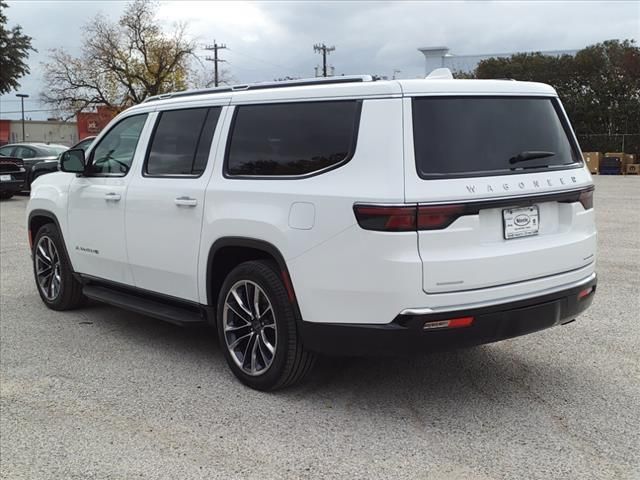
pixel 292 139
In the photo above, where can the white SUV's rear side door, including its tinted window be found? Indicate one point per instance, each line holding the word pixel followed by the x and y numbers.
pixel 165 201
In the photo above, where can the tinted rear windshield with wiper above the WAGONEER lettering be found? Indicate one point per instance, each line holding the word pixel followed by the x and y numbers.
pixel 456 137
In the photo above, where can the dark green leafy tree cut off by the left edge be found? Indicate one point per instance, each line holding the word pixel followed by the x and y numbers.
pixel 14 51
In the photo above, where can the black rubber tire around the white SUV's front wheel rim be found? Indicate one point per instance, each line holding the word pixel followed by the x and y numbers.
pixel 69 293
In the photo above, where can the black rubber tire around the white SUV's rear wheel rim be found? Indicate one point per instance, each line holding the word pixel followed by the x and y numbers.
pixel 291 361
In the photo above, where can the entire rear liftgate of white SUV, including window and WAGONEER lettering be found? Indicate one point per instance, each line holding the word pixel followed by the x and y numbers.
pixel 502 192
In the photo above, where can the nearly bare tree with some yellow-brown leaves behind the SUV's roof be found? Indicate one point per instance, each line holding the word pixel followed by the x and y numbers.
pixel 121 63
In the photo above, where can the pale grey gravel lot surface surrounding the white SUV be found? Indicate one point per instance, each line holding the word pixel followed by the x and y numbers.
pixel 106 394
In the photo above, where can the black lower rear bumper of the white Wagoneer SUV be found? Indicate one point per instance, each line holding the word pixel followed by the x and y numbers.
pixel 406 333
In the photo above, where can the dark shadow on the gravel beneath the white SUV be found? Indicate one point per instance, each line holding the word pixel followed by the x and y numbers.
pixel 485 373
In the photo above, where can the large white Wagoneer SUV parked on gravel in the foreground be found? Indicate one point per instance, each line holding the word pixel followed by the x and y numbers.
pixel 340 216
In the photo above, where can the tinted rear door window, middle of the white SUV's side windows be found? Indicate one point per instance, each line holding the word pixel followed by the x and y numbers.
pixel 181 142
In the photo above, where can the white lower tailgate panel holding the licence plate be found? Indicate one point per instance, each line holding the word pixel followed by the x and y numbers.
pixel 480 249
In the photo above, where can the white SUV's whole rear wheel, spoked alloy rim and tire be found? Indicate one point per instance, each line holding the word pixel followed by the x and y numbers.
pixel 257 328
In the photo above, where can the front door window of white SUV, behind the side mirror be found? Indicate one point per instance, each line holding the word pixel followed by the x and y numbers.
pixel 114 154
